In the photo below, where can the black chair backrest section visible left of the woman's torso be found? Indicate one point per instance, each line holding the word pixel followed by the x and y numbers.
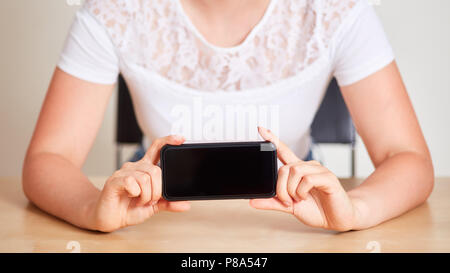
pixel 127 130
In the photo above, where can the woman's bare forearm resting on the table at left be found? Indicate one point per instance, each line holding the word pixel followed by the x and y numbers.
pixel 55 185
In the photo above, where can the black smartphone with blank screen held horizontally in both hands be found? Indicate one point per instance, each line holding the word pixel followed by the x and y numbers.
pixel 232 170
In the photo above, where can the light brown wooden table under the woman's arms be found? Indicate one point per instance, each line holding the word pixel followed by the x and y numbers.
pixel 222 226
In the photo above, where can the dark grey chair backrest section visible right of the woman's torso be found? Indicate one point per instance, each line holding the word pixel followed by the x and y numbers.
pixel 332 123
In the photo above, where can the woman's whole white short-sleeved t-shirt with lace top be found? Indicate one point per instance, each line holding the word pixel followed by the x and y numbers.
pixel 181 83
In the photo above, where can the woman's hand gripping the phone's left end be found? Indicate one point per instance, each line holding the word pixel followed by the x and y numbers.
pixel 133 193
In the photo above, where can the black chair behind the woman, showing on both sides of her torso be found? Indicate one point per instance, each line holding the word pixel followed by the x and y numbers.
pixel 332 123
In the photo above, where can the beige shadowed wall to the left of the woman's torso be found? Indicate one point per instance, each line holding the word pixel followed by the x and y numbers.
pixel 32 35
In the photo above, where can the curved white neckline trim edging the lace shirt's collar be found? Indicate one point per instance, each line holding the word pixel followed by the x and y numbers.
pixel 246 40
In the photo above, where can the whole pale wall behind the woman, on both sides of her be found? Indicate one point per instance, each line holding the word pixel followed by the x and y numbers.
pixel 33 32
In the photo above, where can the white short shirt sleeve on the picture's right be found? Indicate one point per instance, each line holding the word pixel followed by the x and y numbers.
pixel 360 46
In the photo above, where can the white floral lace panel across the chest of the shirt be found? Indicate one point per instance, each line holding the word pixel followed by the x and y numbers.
pixel 154 34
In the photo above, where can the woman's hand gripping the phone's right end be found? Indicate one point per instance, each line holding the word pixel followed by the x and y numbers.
pixel 309 191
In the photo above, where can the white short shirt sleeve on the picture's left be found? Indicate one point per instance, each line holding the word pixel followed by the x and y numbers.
pixel 89 53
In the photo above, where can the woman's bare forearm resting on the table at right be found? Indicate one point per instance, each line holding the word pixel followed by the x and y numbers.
pixel 398 184
